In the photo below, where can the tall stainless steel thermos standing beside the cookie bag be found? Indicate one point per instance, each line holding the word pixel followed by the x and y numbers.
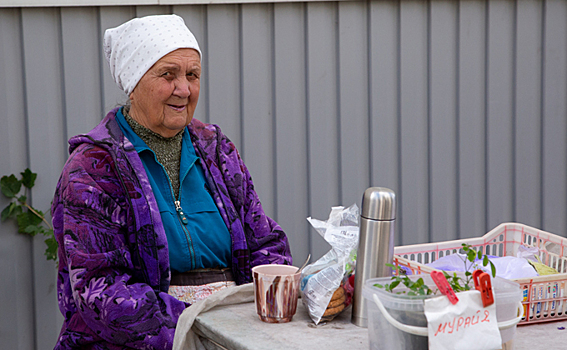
pixel 375 245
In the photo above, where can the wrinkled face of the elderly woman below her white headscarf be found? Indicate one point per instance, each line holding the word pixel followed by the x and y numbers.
pixel 165 98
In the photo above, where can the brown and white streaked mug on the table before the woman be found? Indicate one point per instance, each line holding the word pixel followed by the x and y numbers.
pixel 276 289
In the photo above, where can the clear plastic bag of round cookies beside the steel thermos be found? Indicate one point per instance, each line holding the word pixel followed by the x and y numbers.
pixel 327 285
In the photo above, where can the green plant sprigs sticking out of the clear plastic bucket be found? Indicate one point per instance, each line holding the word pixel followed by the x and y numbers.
pixel 418 287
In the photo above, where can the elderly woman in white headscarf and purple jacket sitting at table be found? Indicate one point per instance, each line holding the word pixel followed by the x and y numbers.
pixel 154 210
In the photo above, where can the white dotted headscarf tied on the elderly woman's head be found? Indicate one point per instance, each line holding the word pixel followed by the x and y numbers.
pixel 132 48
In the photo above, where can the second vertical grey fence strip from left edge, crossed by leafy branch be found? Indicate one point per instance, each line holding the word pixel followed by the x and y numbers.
pixel 43 89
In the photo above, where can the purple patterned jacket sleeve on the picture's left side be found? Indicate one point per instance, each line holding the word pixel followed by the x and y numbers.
pixel 101 293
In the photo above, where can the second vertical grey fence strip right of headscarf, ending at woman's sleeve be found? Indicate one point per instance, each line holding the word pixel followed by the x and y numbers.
pixel 257 105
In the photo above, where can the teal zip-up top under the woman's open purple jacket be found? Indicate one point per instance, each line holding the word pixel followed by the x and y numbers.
pixel 196 234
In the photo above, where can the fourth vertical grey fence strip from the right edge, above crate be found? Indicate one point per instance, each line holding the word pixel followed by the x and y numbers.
pixel 471 119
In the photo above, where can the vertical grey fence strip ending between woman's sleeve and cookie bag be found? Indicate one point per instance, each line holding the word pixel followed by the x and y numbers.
pixel 290 124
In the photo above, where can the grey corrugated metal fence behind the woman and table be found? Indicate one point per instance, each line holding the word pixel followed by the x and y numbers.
pixel 458 106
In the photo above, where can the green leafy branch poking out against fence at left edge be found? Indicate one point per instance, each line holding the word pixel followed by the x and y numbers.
pixel 30 220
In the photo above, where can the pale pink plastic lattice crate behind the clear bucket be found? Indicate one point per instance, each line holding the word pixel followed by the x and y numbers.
pixel 545 297
